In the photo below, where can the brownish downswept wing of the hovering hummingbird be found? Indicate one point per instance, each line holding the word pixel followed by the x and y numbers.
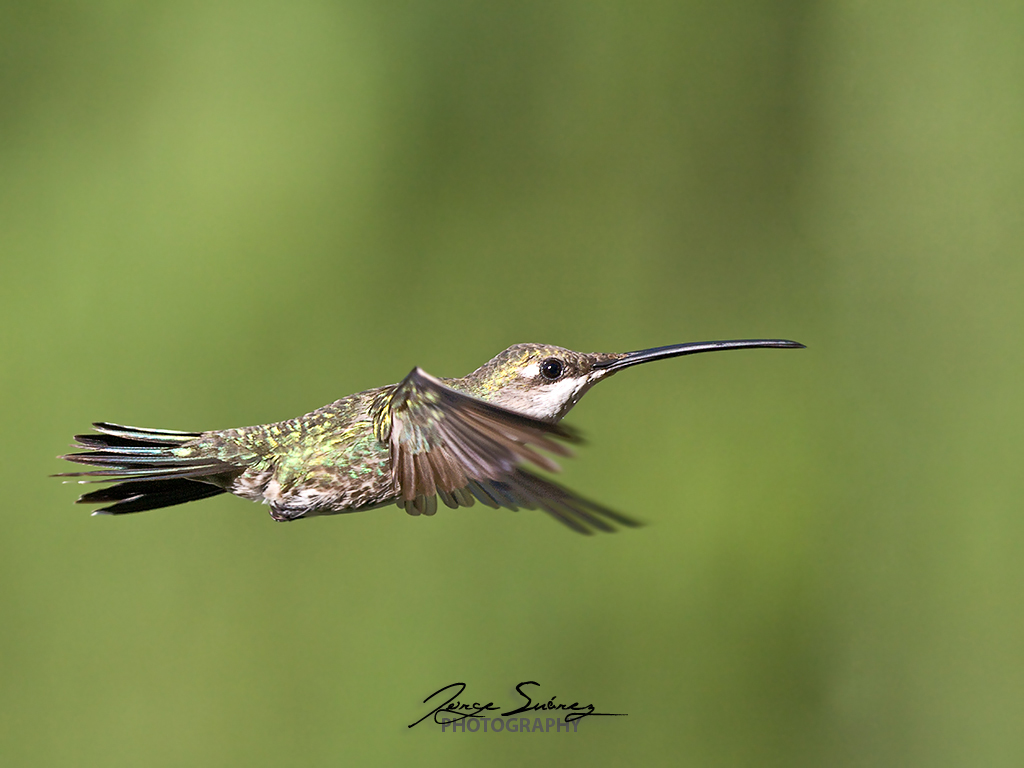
pixel 462 449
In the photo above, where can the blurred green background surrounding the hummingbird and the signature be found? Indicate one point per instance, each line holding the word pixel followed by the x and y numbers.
pixel 218 215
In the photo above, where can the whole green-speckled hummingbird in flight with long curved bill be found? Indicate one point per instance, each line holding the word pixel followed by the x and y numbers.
pixel 461 441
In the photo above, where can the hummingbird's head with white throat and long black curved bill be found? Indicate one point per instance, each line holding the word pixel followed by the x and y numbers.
pixel 546 381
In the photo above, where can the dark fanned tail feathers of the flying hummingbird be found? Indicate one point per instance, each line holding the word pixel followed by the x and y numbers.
pixel 152 468
